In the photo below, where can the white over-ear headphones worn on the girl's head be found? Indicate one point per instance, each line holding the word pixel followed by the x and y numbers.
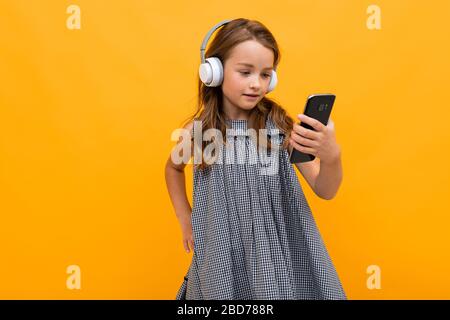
pixel 211 69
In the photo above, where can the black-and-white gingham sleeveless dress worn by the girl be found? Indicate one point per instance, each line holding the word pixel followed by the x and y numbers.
pixel 254 234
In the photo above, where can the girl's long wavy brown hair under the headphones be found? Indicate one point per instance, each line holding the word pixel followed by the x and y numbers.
pixel 209 103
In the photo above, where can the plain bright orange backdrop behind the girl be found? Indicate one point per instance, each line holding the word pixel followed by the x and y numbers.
pixel 86 117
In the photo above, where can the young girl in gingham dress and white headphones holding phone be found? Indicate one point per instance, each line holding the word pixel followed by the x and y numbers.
pixel 254 234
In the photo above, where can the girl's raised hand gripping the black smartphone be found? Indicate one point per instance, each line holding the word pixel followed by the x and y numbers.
pixel 320 143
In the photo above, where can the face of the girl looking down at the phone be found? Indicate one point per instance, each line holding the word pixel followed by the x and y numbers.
pixel 247 71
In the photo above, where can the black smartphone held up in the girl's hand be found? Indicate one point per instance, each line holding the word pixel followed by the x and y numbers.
pixel 318 106
